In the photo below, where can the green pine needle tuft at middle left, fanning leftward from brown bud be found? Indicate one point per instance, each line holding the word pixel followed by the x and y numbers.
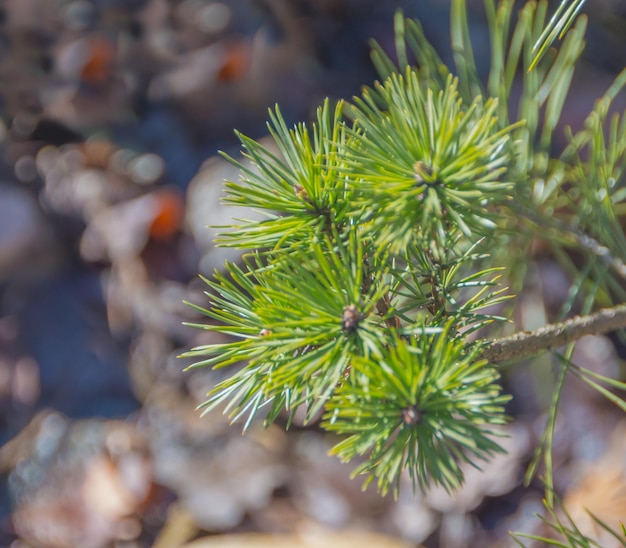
pixel 298 319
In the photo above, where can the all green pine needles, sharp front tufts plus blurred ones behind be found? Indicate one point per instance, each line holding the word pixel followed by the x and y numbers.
pixel 388 223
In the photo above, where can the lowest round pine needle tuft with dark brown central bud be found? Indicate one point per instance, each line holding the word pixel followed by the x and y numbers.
pixel 425 405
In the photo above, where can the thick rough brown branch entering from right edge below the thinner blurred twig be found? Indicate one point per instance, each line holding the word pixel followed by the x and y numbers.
pixel 528 343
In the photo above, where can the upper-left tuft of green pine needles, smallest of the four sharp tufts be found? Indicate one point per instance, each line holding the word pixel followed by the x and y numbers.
pixel 301 191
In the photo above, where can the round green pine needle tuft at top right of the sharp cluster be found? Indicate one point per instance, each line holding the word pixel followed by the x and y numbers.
pixel 426 161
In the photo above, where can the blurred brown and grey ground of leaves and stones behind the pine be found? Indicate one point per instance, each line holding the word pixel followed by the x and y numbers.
pixel 111 115
